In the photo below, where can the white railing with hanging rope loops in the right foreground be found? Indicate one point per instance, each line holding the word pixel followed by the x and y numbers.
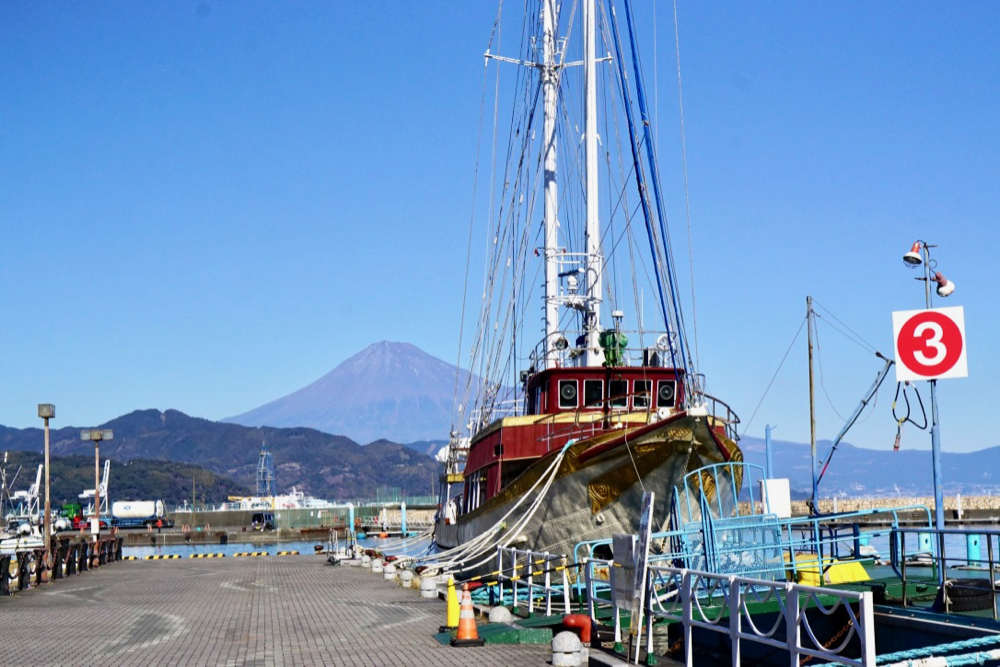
pixel 701 600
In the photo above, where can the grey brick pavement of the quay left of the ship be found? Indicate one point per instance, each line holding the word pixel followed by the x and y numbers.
pixel 293 610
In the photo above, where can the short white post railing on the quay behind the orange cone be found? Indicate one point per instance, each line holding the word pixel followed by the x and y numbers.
pixel 533 575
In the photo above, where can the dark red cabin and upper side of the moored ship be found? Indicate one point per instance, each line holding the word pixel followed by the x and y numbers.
pixel 562 404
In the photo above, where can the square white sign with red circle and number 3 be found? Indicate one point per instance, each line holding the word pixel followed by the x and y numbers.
pixel 930 344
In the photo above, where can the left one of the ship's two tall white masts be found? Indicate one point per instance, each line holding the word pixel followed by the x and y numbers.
pixel 550 78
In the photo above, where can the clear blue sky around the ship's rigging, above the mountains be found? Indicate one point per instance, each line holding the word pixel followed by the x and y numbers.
pixel 208 205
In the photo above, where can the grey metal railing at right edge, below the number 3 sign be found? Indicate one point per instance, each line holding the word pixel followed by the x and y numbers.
pixel 919 555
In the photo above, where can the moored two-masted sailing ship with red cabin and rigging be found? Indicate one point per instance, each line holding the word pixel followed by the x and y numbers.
pixel 605 408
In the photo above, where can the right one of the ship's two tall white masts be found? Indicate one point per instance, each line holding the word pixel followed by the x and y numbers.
pixel 595 260
